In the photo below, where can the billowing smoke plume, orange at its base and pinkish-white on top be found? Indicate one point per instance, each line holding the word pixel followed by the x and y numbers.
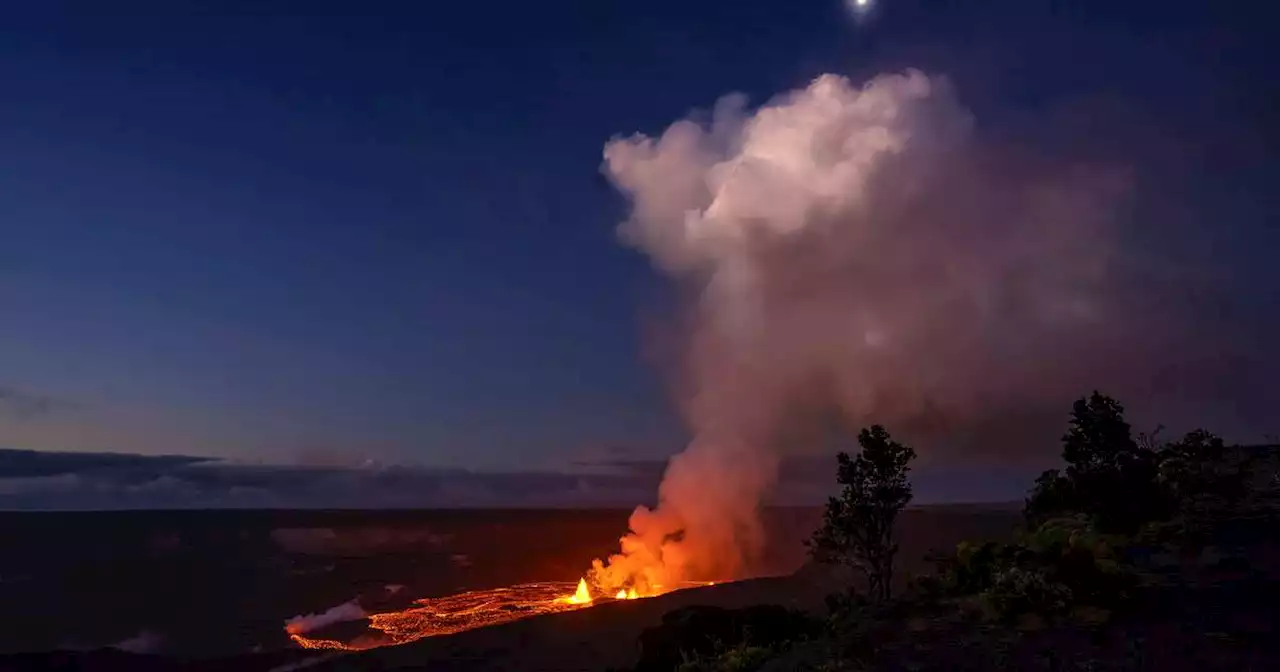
pixel 857 249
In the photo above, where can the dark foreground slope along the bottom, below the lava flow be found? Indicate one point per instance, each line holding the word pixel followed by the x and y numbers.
pixel 1213 614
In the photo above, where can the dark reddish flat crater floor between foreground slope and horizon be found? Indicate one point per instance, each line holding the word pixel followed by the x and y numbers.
pixel 211 586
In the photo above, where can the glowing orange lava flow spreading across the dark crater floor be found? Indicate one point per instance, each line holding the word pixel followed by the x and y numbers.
pixel 431 618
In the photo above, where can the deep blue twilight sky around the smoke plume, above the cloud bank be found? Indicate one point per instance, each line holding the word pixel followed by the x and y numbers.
pixel 327 234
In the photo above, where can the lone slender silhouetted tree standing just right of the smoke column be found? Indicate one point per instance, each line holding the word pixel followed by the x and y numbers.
pixel 858 527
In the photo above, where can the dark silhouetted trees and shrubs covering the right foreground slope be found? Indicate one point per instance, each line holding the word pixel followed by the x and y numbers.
pixel 1103 575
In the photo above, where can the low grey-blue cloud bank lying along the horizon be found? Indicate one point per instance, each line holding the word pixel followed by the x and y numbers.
pixel 34 481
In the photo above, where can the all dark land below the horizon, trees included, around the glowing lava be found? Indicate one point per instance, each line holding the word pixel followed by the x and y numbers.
pixel 1135 556
